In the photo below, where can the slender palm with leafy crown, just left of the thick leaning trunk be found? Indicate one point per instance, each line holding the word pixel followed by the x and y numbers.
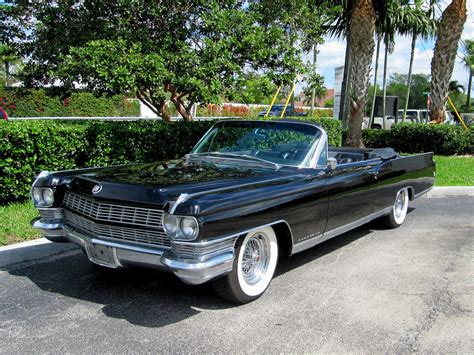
pixel 419 22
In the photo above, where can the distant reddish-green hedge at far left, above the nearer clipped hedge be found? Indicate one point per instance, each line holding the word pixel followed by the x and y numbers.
pixel 20 102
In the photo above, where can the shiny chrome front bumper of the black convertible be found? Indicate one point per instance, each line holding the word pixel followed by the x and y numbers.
pixel 217 260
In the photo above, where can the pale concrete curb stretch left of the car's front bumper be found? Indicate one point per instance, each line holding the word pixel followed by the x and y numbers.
pixel 30 252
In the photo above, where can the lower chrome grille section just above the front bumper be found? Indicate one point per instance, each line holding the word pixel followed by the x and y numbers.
pixel 110 232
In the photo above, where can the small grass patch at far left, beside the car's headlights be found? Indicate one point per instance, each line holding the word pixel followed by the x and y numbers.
pixel 15 226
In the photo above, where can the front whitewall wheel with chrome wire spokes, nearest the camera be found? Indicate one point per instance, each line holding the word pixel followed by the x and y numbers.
pixel 253 268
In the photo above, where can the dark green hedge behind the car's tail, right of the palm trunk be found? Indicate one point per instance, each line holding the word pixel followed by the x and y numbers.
pixel 419 138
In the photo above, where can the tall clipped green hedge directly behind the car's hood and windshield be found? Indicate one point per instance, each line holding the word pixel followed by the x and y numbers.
pixel 27 147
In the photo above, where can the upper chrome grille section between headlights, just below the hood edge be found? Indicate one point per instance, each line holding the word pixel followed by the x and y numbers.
pixel 107 212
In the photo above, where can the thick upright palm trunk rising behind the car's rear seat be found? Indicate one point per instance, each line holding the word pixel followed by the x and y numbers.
pixel 361 36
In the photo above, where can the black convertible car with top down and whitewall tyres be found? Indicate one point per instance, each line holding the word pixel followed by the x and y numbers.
pixel 248 192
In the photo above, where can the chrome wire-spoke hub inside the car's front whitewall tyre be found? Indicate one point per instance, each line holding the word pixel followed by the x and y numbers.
pixel 255 259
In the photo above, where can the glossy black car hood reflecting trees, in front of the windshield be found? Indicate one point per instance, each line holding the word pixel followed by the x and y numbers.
pixel 163 183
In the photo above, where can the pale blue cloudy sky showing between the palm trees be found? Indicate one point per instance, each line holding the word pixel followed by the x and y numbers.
pixel 332 51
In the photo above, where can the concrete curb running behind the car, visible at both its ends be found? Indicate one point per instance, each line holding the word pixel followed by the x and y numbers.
pixel 39 250
